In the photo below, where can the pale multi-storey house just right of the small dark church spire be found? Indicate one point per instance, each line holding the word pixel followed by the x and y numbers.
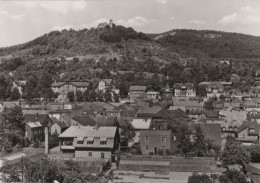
pixel 184 90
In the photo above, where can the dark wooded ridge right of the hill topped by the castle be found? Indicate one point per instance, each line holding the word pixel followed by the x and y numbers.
pixel 213 44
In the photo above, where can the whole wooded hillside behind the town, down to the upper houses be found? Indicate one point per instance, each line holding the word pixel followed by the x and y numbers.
pixel 184 55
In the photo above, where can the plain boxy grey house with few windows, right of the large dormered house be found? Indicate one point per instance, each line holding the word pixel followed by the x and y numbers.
pixel 152 141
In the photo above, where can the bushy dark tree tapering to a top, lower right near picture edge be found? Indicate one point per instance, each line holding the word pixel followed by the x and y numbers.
pixel 235 153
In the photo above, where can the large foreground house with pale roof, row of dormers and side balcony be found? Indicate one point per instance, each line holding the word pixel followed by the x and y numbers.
pixel 90 141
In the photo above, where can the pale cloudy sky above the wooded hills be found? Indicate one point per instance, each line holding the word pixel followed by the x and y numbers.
pixel 22 21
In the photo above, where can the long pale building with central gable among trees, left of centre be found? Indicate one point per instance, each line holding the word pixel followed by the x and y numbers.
pixel 64 87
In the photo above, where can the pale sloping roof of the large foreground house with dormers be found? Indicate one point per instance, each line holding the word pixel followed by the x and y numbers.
pixel 89 131
